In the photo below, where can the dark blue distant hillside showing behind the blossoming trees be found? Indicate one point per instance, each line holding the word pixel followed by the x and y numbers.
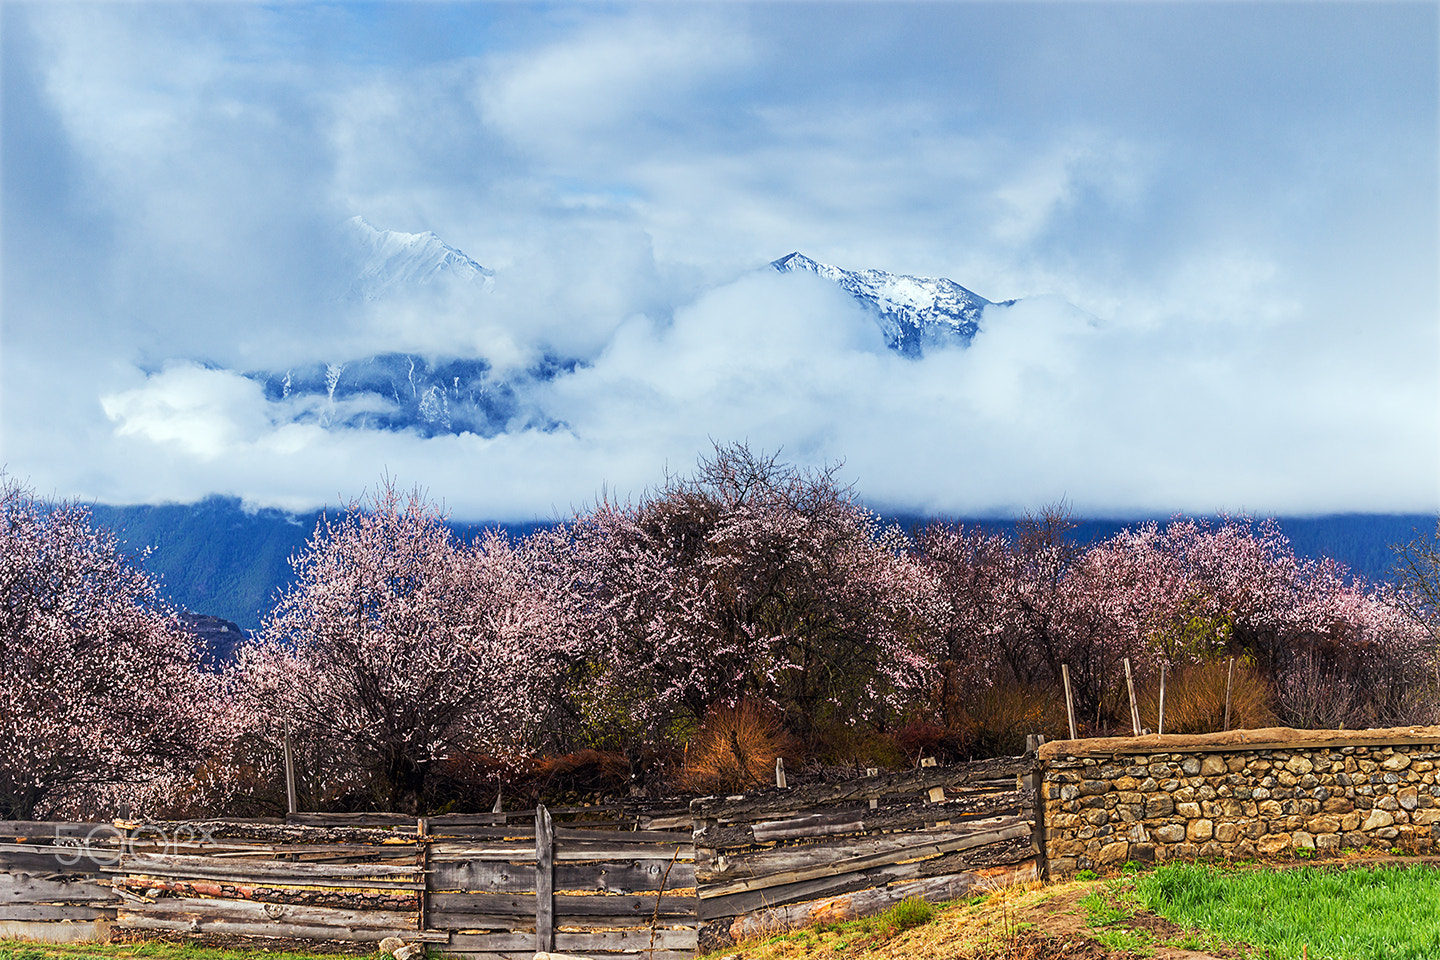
pixel 220 559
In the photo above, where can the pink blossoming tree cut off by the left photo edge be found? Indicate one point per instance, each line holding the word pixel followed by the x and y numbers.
pixel 103 700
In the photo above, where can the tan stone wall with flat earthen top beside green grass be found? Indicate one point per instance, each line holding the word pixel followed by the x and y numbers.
pixel 1239 797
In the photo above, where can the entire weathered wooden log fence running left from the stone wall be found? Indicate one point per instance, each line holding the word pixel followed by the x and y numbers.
pixel 626 880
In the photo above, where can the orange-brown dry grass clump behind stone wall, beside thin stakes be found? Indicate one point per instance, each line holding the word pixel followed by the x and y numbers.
pixel 1196 700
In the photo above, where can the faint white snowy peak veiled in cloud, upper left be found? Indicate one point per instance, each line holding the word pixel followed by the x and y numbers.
pixel 390 260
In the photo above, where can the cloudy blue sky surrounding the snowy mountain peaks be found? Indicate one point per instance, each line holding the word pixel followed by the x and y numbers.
pixel 1220 221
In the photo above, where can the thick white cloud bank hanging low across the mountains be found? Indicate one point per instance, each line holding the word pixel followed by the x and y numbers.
pixel 1046 404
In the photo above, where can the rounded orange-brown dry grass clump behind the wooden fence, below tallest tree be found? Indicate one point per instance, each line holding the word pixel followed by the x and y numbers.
pixel 735 751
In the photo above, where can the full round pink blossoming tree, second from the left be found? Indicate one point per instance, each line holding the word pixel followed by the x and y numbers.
pixel 397 646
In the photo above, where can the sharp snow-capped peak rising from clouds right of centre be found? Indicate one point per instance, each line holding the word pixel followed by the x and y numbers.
pixel 912 312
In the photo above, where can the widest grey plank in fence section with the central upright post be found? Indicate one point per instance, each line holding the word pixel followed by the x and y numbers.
pixel 516 879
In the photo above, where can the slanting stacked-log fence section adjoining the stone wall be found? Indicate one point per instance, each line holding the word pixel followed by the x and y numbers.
pixel 787 859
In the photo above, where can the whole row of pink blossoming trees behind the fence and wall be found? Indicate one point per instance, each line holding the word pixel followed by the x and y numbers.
pixel 745 612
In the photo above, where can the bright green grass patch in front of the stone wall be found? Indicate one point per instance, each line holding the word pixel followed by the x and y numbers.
pixel 1320 913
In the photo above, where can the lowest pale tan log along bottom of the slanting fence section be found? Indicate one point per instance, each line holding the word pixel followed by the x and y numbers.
pixel 872 902
